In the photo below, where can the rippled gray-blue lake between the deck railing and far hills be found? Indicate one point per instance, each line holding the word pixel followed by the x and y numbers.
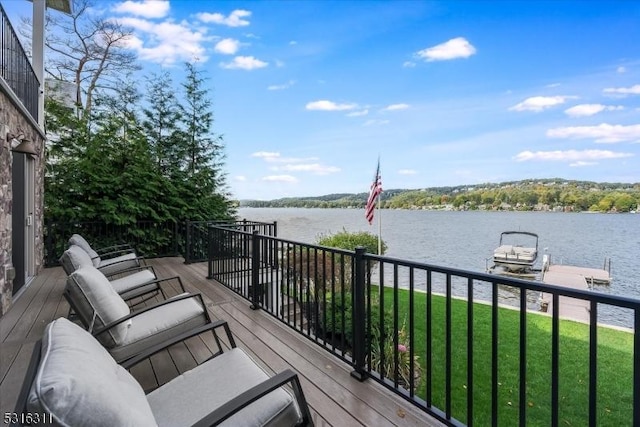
pixel 466 239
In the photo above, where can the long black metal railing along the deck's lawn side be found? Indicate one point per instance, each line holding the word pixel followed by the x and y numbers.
pixel 442 338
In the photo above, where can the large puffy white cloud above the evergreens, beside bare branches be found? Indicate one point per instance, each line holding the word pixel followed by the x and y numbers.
pixel 165 42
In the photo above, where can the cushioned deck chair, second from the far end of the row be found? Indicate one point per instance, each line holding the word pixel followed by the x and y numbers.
pixel 129 283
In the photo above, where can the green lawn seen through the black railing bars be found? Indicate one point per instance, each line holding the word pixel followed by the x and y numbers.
pixel 614 370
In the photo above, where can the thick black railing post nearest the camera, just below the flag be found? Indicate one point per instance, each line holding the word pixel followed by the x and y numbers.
pixel 359 317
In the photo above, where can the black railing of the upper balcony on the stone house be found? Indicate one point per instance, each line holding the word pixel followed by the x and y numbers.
pixel 16 69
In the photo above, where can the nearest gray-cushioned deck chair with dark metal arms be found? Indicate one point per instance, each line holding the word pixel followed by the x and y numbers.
pixel 73 381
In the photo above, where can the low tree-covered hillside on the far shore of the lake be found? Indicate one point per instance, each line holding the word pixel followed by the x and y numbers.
pixel 552 194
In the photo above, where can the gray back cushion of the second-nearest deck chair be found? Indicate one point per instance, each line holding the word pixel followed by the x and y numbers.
pixel 97 302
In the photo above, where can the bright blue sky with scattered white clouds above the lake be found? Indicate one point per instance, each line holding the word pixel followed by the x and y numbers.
pixel 308 94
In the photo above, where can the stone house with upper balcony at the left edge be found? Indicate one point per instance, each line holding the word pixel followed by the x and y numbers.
pixel 22 161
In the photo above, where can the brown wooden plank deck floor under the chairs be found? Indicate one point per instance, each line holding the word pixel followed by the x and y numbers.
pixel 334 396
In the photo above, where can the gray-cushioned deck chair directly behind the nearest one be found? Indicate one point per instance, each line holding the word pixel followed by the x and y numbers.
pixel 124 333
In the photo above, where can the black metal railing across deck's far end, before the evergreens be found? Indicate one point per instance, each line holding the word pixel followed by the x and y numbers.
pixel 151 239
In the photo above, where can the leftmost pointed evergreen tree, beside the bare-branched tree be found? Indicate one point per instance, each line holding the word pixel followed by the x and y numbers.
pixel 121 185
